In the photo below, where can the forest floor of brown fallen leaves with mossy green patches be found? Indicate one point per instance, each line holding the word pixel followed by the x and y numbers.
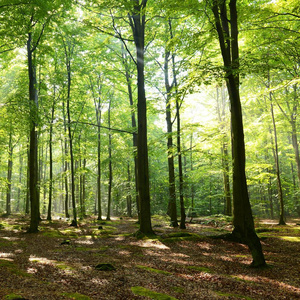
pixel 60 261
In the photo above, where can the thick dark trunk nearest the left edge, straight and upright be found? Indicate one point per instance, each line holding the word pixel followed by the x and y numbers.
pixel 33 142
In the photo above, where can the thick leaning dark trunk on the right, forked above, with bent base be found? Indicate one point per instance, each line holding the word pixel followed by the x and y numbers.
pixel 242 218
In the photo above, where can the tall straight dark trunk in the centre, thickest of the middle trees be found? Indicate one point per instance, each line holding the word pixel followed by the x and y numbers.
pixel 137 21
